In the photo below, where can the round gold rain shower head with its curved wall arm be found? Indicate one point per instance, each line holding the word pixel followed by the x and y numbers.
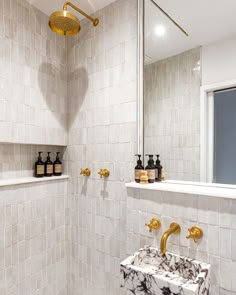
pixel 66 23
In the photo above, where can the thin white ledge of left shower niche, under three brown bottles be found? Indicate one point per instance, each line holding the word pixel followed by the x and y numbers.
pixel 25 180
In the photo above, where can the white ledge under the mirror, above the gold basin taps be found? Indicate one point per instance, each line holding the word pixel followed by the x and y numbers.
pixel 198 188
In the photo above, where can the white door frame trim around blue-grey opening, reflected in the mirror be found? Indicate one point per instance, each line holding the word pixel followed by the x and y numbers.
pixel 207 128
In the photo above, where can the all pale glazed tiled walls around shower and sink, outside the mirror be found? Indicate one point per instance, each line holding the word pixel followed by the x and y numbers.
pixel 59 243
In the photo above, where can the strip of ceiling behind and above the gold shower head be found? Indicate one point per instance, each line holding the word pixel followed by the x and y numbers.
pixel 88 6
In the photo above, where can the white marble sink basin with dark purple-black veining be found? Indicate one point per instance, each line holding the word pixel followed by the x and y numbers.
pixel 148 272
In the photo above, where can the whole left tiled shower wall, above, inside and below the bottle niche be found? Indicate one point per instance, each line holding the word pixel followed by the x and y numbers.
pixel 32 111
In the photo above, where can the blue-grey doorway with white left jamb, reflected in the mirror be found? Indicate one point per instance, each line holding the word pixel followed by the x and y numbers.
pixel 218 146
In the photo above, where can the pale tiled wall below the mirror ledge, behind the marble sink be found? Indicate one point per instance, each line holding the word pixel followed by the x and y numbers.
pixel 217 218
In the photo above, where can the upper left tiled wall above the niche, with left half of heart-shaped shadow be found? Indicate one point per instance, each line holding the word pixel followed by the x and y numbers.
pixel 32 77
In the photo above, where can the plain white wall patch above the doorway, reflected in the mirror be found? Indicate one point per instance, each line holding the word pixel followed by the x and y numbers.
pixel 219 62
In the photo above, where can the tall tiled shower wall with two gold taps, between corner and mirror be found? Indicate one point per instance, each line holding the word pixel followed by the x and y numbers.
pixel 102 128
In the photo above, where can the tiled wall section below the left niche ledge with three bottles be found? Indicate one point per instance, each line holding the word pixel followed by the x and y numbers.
pixel 32 244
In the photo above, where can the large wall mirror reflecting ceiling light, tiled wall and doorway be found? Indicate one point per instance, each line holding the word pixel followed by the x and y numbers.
pixel 189 86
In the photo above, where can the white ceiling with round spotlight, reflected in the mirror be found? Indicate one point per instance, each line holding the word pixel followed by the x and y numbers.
pixel 206 21
